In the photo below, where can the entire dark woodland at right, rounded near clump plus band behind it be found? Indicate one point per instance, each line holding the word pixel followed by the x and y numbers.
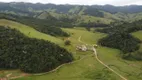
pixel 119 37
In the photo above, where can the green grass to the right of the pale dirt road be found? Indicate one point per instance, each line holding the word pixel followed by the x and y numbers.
pixel 129 69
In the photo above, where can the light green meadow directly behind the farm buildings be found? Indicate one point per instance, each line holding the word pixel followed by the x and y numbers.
pixel 88 37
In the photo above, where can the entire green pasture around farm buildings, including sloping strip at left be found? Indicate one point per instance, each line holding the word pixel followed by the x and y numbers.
pixel 86 66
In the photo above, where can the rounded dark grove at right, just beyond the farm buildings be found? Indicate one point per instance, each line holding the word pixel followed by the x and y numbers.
pixel 123 41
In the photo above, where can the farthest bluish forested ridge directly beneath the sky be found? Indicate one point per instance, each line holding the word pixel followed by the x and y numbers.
pixel 66 8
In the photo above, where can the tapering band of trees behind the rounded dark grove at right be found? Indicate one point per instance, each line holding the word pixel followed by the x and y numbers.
pixel 123 27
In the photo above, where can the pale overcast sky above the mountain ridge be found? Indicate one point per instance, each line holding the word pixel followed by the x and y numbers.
pixel 83 2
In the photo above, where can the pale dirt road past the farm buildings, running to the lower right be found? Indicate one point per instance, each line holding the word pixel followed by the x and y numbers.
pixel 96 56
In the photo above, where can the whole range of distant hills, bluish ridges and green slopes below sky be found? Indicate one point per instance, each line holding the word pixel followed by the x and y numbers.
pixel 81 13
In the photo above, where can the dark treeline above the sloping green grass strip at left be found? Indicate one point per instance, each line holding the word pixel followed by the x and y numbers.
pixel 49 26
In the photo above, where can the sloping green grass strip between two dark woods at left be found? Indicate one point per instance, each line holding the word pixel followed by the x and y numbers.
pixel 28 31
